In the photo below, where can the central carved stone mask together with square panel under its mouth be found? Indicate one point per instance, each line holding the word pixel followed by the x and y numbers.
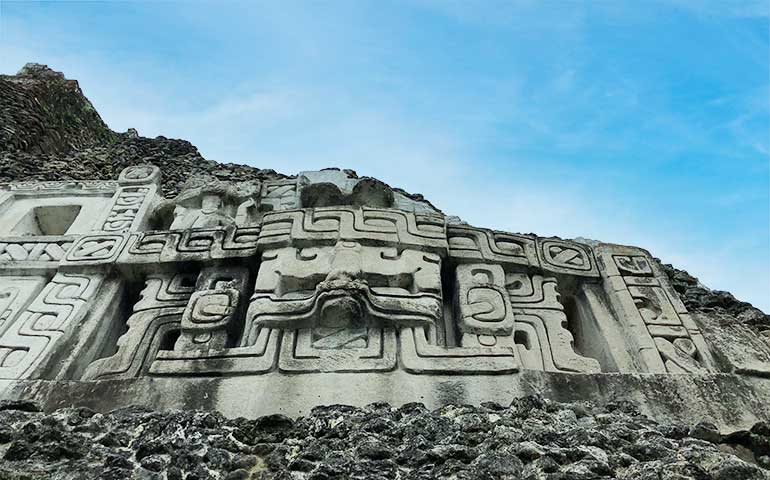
pixel 341 305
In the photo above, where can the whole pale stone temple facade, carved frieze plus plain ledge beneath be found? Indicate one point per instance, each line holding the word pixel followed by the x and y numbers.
pixel 274 296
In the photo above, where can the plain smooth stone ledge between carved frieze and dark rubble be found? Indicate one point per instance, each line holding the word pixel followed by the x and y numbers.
pixel 731 402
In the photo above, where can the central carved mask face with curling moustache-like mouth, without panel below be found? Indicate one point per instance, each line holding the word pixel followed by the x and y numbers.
pixel 348 285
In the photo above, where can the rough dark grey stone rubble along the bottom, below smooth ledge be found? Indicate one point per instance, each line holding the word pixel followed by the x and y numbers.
pixel 530 439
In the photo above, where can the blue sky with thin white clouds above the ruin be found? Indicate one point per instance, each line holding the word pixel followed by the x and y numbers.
pixel 643 123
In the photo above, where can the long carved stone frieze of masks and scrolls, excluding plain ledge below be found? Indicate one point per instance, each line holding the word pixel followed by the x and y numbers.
pixel 321 273
